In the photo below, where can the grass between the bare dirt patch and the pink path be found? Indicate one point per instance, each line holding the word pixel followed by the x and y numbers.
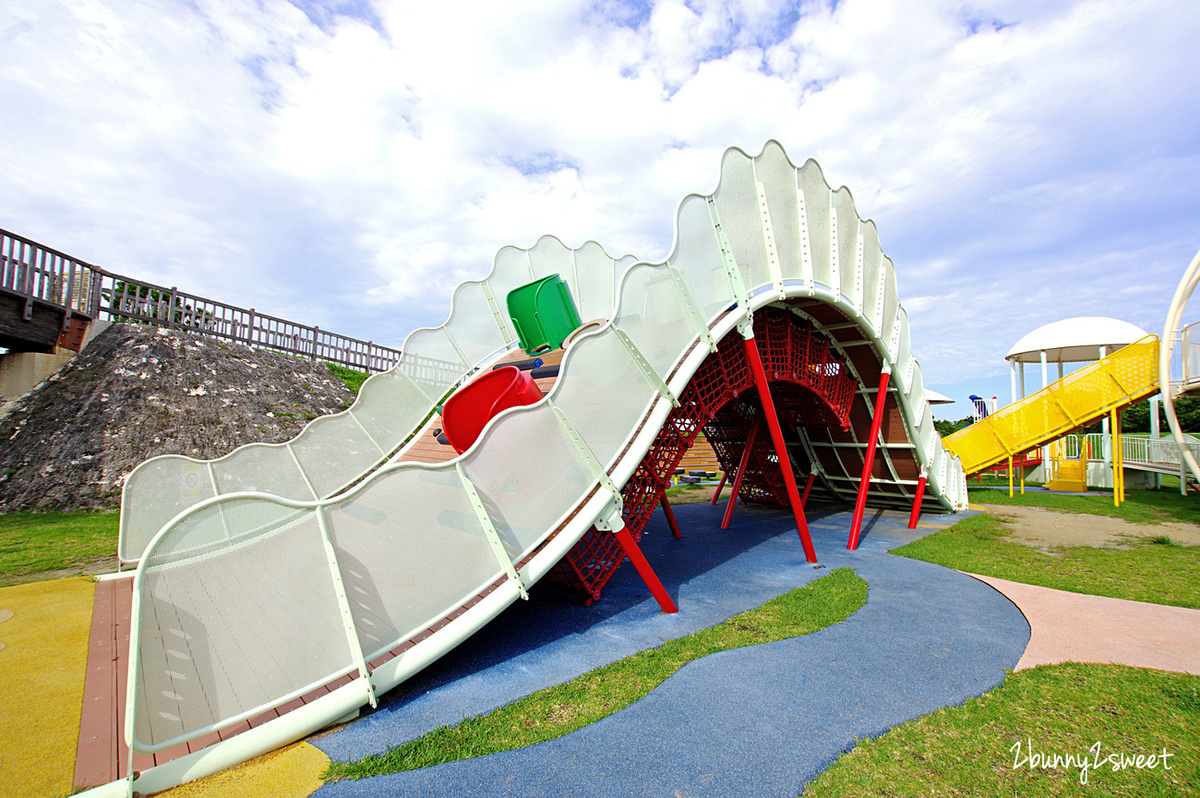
pixel 1144 572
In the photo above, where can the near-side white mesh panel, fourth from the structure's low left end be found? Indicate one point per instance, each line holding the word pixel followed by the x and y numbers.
pixel 604 394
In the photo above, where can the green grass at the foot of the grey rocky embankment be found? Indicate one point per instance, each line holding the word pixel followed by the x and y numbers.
pixel 32 543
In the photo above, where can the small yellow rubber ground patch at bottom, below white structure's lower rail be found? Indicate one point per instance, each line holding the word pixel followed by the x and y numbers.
pixel 292 772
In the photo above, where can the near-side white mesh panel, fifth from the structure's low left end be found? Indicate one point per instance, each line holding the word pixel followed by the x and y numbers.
pixel 655 317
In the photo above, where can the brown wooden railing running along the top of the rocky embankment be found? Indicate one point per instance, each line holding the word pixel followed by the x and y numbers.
pixel 37 273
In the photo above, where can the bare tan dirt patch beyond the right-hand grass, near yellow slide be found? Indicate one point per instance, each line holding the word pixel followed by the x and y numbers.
pixel 1045 529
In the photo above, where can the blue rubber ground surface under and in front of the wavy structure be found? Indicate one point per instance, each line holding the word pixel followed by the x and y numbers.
pixel 753 722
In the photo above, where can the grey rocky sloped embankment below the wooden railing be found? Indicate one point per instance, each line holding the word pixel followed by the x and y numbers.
pixel 139 392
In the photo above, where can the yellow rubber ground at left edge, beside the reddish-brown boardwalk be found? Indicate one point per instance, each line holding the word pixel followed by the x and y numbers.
pixel 43 669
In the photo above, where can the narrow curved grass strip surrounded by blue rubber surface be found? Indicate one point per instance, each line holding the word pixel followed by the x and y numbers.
pixel 563 709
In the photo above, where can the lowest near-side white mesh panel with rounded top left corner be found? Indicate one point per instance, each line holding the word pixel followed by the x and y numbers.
pixel 235 628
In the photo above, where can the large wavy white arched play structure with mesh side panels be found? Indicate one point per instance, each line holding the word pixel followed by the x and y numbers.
pixel 281 587
